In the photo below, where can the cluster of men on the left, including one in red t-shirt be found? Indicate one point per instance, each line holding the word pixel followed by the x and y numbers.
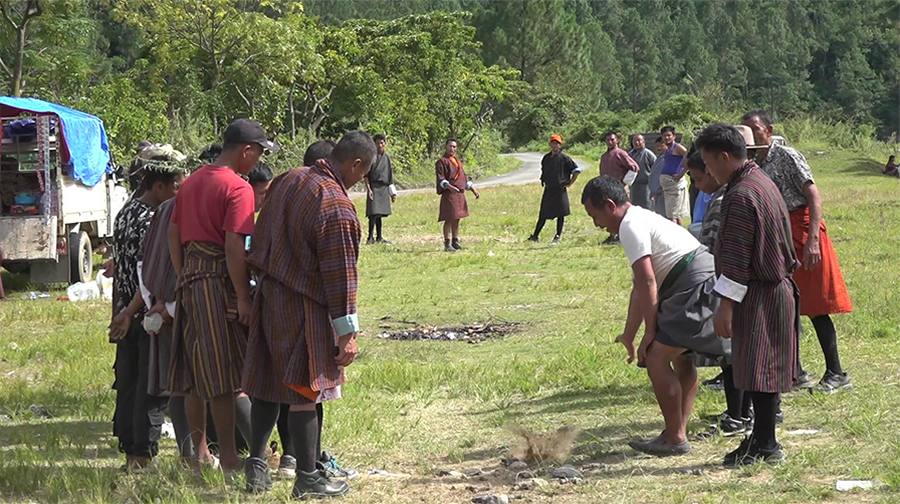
pixel 253 320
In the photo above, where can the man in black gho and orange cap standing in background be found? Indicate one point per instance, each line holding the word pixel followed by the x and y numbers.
pixel 558 172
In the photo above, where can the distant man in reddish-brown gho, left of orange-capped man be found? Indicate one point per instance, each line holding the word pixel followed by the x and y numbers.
pixel 452 184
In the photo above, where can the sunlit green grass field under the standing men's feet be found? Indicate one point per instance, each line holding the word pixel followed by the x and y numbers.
pixel 414 408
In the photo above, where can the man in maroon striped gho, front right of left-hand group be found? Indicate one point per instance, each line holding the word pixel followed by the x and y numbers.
pixel 303 325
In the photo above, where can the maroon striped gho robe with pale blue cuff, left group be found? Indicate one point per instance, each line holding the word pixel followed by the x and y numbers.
pixel 304 251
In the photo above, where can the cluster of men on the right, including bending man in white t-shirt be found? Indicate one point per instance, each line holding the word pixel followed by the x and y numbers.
pixel 735 296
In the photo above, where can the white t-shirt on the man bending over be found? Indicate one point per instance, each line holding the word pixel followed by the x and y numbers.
pixel 644 233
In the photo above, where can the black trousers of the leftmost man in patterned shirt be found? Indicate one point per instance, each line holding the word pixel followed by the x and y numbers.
pixel 139 416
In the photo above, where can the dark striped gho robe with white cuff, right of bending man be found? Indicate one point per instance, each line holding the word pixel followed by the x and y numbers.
pixel 755 259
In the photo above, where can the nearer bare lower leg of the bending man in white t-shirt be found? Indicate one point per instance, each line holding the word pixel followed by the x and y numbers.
pixel 667 389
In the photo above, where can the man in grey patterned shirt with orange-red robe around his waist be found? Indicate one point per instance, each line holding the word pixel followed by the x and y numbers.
pixel 822 289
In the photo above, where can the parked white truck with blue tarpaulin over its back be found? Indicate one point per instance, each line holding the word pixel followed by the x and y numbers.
pixel 59 194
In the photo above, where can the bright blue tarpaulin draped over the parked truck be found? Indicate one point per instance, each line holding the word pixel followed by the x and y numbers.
pixel 86 146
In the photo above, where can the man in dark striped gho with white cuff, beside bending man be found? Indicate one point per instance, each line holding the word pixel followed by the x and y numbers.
pixel 755 259
